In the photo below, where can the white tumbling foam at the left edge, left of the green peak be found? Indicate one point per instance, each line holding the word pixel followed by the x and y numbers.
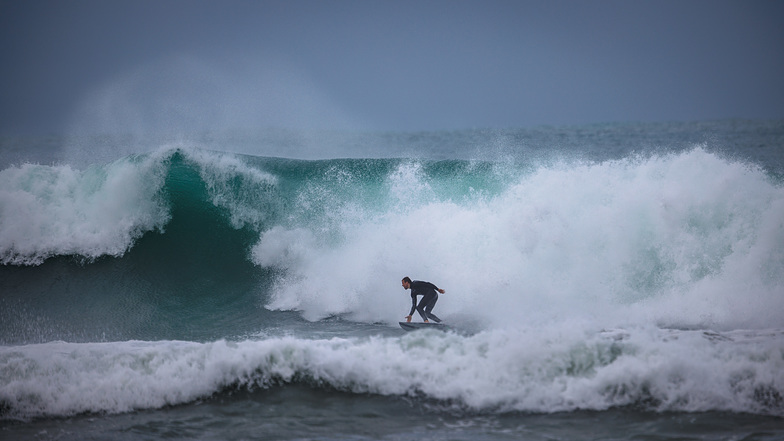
pixel 58 210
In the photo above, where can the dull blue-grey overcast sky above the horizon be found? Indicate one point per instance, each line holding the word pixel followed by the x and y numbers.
pixel 71 65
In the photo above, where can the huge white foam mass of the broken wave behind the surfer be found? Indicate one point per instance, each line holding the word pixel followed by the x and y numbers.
pixel 687 239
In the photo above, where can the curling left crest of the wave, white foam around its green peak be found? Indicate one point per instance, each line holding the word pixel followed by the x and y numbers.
pixel 48 211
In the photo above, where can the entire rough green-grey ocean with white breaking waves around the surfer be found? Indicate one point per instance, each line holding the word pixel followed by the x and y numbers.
pixel 616 281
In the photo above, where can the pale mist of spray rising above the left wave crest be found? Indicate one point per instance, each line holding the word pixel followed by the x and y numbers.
pixel 185 100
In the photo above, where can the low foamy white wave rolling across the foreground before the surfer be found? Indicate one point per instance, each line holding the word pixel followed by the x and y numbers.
pixel 655 370
